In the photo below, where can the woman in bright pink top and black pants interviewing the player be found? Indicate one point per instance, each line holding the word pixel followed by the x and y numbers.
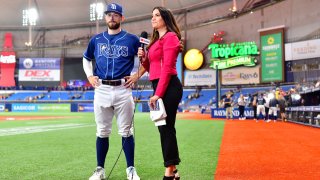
pixel 160 61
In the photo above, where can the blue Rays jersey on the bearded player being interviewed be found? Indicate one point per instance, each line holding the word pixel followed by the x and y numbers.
pixel 113 54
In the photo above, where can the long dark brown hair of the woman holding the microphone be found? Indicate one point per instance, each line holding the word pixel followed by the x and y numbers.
pixel 170 23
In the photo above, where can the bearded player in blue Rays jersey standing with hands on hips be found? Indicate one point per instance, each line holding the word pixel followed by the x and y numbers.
pixel 113 52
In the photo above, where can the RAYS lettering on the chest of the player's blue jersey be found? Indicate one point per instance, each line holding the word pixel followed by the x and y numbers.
pixel 112 51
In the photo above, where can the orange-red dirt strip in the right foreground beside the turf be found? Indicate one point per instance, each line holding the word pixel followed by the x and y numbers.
pixel 261 150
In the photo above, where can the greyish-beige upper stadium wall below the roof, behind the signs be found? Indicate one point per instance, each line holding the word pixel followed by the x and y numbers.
pixel 300 19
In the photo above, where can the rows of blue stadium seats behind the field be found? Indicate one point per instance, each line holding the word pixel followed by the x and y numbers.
pixel 191 97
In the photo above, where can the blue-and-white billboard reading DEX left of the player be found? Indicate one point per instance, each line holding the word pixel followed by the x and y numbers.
pixel 39 69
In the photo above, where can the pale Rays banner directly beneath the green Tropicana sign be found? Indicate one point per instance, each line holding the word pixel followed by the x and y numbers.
pixel 240 75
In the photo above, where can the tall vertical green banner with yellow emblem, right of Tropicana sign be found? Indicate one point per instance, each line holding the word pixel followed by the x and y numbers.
pixel 272 57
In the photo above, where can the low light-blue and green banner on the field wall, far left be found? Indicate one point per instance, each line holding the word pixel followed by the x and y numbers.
pixel 27 107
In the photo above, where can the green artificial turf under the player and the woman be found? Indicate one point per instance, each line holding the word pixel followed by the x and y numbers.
pixel 69 153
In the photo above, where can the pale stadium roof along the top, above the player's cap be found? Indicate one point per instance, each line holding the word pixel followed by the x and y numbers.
pixel 69 12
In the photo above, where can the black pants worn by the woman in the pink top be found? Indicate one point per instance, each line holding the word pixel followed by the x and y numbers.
pixel 171 100
